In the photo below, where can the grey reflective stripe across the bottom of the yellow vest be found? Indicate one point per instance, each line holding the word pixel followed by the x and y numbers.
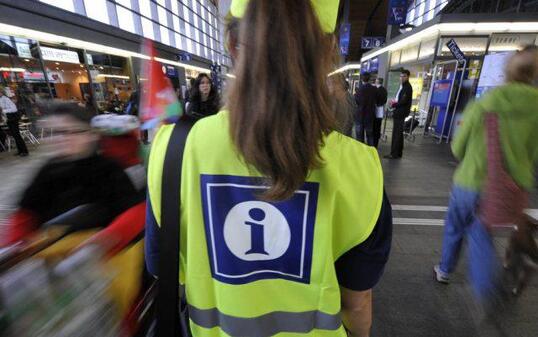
pixel 267 325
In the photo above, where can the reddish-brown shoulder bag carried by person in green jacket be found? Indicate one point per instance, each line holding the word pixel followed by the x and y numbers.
pixel 503 201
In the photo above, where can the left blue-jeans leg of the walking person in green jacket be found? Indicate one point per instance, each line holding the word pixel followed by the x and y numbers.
pixel 458 218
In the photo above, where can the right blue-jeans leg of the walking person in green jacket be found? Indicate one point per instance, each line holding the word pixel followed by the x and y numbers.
pixel 484 265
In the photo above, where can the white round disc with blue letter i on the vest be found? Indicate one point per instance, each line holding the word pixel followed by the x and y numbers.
pixel 256 231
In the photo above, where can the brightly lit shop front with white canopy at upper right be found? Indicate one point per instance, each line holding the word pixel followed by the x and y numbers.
pixel 442 85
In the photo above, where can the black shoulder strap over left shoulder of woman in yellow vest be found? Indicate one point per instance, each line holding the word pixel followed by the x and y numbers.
pixel 170 305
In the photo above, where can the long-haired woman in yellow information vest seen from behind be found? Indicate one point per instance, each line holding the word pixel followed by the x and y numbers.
pixel 282 218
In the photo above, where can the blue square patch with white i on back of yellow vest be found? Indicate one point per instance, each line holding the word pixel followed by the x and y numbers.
pixel 249 239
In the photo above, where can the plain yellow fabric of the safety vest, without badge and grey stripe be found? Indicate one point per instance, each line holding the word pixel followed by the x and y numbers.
pixel 349 203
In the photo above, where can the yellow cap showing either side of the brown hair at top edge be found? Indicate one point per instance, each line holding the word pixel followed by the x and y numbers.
pixel 327 11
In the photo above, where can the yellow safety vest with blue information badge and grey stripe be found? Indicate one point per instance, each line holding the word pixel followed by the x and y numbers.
pixel 259 269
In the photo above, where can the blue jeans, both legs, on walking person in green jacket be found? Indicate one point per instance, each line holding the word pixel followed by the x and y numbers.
pixel 462 221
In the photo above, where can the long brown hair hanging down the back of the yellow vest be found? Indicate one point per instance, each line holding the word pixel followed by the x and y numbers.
pixel 279 102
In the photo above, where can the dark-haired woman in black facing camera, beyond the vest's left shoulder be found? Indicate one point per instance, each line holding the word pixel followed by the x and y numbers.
pixel 204 100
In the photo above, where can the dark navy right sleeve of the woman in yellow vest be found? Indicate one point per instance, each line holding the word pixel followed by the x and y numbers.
pixel 361 267
